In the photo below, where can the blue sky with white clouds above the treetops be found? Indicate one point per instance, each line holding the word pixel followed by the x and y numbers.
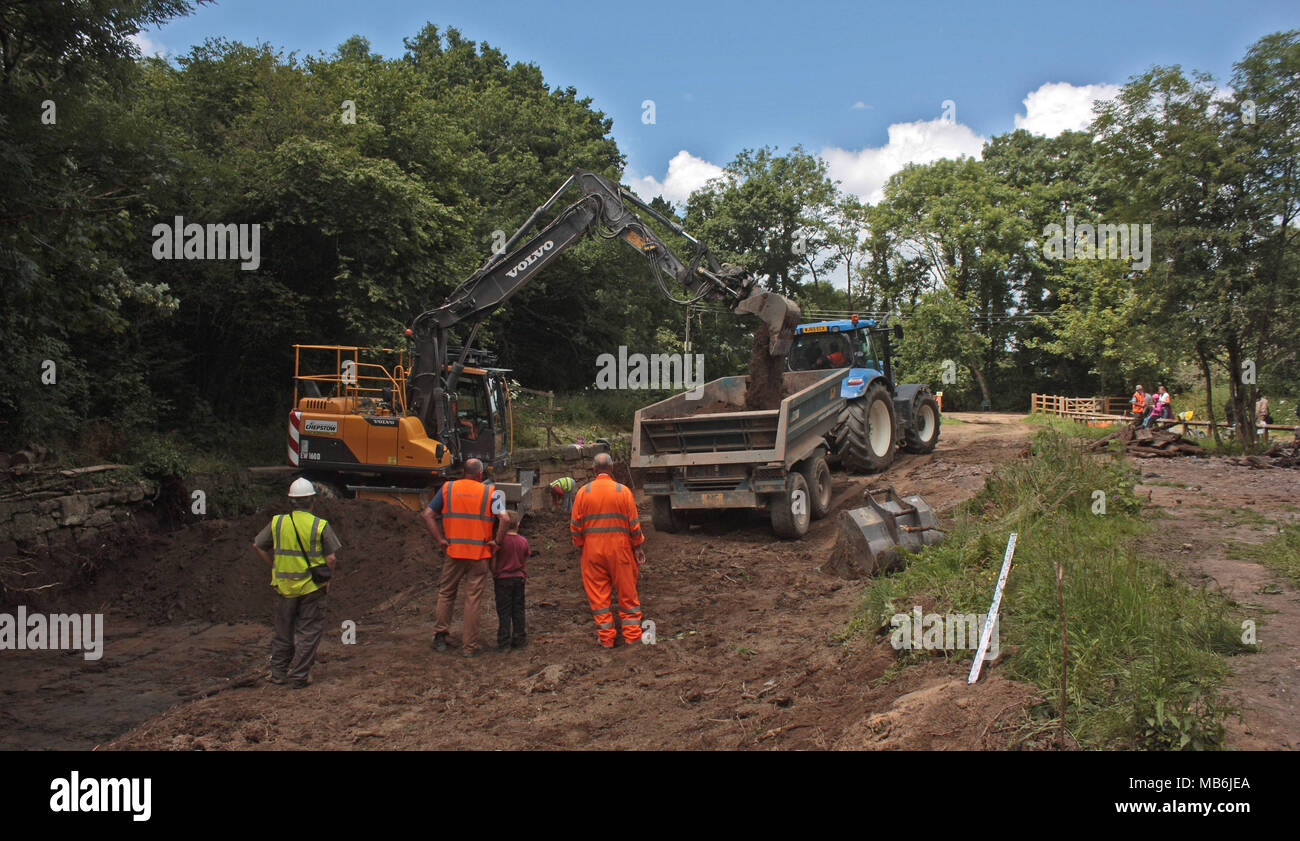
pixel 861 84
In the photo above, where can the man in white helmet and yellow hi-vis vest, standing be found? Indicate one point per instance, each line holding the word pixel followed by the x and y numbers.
pixel 292 545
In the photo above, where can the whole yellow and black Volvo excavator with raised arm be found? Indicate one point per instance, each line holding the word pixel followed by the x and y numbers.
pixel 395 424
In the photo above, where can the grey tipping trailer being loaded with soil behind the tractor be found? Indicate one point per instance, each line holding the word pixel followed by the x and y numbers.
pixel 701 450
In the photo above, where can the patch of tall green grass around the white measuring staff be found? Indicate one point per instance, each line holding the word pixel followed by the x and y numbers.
pixel 1146 647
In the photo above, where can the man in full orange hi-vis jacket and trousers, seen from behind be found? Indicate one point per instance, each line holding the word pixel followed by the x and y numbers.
pixel 605 526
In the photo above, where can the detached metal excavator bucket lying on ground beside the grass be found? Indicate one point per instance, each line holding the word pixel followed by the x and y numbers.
pixel 872 540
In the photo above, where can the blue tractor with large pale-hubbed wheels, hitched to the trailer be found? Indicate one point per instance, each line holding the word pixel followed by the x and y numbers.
pixel 878 417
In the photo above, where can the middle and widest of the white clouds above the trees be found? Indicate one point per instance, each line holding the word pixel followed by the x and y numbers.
pixel 866 171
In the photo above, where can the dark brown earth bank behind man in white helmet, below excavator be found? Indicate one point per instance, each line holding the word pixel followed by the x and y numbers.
pixel 210 571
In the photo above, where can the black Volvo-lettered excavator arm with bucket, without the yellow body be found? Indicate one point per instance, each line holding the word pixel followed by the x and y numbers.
pixel 606 209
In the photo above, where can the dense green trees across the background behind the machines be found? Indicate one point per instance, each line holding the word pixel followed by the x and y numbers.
pixel 379 184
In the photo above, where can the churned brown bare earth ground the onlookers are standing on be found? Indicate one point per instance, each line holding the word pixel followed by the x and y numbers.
pixel 748 652
